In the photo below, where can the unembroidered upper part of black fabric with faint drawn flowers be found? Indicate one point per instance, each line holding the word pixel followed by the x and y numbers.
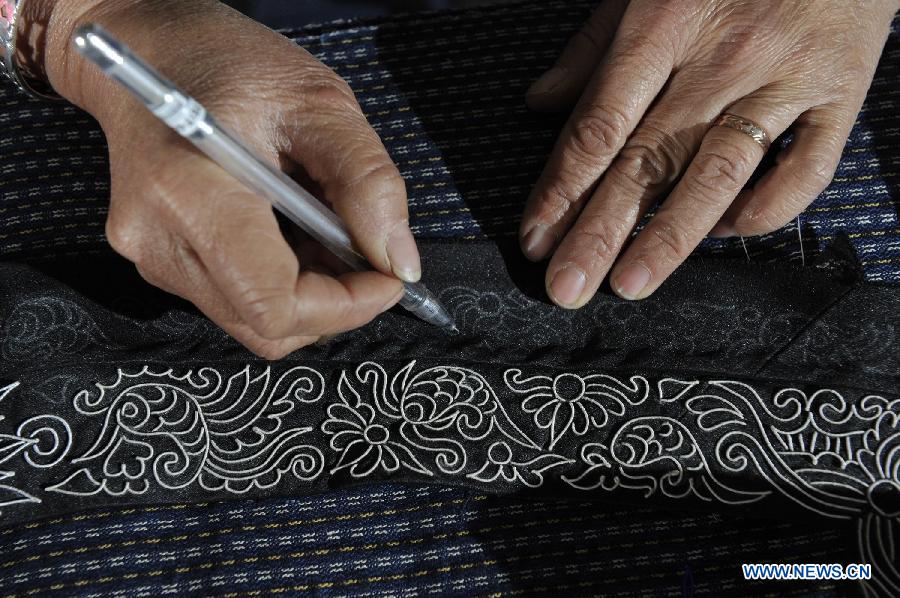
pixel 820 325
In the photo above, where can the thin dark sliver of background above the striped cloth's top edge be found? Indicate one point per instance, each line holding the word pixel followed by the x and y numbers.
pixel 292 13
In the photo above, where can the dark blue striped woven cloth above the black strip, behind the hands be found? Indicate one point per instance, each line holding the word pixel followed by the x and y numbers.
pixel 446 94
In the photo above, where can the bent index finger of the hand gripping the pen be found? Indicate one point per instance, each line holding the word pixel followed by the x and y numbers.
pixel 237 238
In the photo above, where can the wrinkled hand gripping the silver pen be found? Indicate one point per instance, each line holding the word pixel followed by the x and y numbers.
pixel 194 231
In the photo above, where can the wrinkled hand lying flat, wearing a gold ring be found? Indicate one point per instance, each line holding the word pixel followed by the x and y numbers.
pixel 649 79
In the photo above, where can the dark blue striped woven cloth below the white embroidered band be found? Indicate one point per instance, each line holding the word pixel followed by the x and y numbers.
pixel 392 540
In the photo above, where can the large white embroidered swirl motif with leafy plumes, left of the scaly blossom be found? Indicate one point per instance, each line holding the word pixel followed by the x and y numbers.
pixel 168 431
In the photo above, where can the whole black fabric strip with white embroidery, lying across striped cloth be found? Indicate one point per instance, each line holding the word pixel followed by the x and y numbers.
pixel 732 386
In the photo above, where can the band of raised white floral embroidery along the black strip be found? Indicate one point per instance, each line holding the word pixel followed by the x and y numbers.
pixel 719 441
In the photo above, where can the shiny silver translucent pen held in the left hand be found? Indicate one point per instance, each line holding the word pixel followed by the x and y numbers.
pixel 191 120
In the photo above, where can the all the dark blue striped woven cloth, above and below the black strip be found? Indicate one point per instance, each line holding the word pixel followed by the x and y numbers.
pixel 446 94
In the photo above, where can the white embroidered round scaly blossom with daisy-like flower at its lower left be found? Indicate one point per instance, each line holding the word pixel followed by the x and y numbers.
pixel 435 413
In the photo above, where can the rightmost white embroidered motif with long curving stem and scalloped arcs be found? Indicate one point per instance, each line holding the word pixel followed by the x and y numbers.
pixel 817 450
